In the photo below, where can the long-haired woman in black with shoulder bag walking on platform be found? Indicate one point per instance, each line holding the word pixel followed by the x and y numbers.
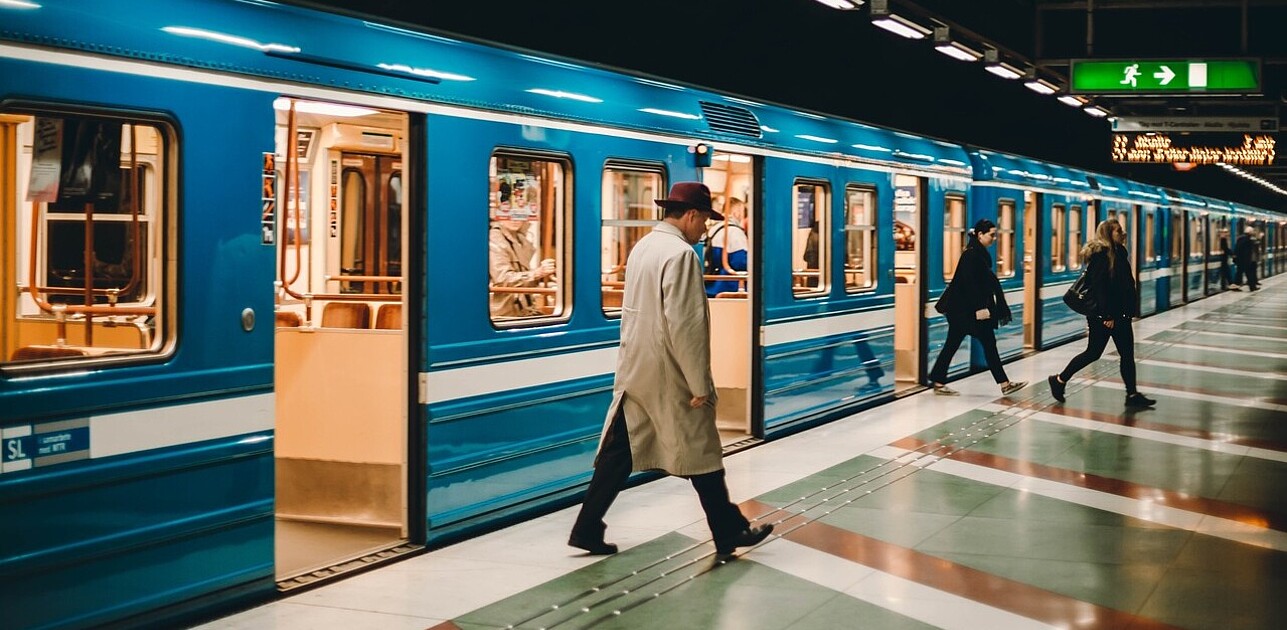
pixel 1114 305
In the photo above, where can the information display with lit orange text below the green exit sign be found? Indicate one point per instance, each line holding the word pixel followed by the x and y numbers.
pixel 1164 150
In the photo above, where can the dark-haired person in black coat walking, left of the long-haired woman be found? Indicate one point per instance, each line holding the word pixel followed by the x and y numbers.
pixel 975 307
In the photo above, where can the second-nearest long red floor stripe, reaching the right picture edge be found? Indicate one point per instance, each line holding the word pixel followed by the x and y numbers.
pixel 1120 488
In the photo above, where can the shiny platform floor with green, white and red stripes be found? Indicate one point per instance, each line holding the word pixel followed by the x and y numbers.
pixel 971 512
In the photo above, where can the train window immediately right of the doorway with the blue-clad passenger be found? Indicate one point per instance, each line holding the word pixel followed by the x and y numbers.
pixel 810 238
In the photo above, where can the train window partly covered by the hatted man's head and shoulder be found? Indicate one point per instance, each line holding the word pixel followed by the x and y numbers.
pixel 630 213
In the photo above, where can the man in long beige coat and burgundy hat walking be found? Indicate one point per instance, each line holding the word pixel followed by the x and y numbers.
pixel 663 412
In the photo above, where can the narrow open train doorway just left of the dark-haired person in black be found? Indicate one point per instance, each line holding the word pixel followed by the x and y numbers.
pixel 909 195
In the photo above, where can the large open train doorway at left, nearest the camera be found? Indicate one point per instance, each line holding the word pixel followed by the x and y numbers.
pixel 342 377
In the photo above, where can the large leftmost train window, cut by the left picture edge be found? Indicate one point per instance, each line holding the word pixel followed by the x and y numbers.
pixel 89 217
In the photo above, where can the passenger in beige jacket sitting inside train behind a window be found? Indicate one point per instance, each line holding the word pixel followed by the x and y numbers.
pixel 510 264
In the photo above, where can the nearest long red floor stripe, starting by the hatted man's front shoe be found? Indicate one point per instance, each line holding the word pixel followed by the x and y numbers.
pixel 998 592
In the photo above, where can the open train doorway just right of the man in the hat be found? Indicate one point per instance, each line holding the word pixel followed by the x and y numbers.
pixel 734 182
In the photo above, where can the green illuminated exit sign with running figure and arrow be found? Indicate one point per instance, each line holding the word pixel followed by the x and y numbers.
pixel 1154 76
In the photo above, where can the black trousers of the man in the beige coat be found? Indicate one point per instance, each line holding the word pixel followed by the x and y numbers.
pixel 613 469
